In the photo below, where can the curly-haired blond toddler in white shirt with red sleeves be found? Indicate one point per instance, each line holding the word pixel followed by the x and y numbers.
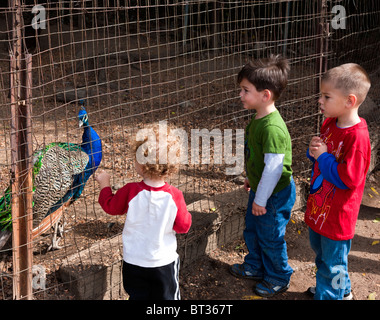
pixel 155 212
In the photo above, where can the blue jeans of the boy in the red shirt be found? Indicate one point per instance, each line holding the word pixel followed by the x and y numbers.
pixel 333 281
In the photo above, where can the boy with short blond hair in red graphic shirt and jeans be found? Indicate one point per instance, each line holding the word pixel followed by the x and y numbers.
pixel 341 157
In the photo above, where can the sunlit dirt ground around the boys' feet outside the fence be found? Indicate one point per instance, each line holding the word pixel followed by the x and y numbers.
pixel 209 278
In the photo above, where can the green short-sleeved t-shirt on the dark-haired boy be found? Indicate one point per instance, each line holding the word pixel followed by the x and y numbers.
pixel 267 135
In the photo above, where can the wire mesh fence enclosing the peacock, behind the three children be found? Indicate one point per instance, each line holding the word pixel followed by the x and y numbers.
pixel 135 62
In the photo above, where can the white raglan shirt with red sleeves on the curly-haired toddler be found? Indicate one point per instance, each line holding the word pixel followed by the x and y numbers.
pixel 154 216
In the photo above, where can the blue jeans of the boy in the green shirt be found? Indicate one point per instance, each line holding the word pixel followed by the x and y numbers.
pixel 264 237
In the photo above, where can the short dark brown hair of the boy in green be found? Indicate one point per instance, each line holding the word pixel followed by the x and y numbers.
pixel 268 73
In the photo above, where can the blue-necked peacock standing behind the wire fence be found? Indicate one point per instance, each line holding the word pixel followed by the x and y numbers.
pixel 60 173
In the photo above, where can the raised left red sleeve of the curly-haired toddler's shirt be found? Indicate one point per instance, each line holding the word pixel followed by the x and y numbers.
pixel 115 204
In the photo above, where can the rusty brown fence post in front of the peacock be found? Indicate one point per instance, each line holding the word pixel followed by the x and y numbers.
pixel 21 157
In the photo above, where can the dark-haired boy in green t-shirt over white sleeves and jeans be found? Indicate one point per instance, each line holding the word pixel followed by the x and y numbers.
pixel 268 153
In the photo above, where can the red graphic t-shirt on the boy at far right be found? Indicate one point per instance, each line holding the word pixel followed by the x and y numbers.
pixel 332 211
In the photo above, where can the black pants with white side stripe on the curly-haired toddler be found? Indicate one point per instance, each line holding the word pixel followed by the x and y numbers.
pixel 160 283
